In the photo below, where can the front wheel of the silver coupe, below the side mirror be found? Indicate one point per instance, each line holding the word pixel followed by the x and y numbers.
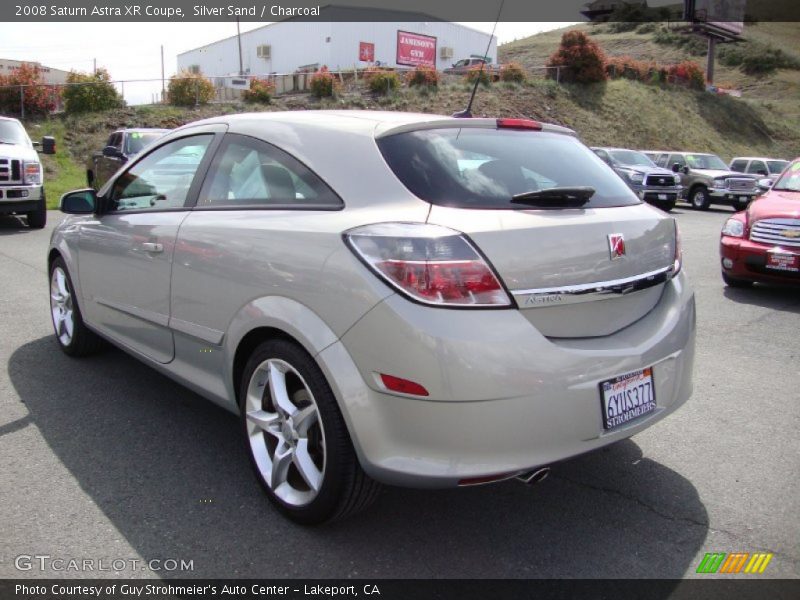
pixel 65 313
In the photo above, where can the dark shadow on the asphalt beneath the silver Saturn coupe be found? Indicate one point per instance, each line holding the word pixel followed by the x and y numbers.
pixel 170 472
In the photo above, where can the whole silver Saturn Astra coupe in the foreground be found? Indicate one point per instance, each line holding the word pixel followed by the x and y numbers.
pixel 384 297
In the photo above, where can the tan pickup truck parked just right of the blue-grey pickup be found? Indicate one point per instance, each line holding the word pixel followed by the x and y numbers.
pixel 707 180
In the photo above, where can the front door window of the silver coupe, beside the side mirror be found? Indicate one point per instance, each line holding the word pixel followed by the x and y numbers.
pixel 162 179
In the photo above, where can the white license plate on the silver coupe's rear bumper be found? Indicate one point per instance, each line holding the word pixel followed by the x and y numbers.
pixel 627 397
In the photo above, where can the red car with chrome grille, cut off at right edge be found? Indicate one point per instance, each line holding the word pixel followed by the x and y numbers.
pixel 762 243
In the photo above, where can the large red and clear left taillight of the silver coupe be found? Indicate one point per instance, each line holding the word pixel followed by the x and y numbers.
pixel 429 263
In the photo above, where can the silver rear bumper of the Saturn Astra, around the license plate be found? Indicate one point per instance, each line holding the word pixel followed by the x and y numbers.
pixel 503 398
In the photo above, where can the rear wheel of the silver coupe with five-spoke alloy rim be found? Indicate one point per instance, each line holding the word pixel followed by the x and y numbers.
pixel 318 477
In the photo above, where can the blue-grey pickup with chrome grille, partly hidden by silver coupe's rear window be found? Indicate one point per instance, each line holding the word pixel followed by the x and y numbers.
pixel 657 186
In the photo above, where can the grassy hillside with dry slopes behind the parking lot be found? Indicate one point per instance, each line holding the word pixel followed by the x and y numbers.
pixel 765 121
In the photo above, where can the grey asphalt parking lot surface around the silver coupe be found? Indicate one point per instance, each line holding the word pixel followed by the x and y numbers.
pixel 105 458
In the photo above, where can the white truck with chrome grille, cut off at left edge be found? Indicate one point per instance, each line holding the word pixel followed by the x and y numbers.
pixel 21 175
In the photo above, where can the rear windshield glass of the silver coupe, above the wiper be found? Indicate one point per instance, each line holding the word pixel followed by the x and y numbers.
pixel 484 168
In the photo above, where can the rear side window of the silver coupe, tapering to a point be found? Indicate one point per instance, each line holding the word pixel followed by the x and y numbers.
pixel 248 172
